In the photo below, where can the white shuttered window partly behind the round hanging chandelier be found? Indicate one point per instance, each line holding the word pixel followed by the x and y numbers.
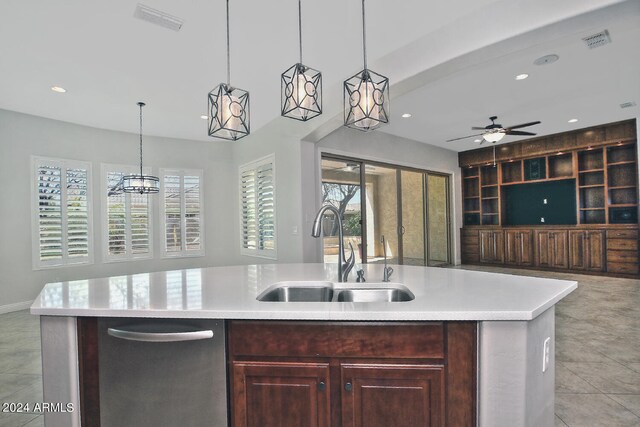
pixel 127 221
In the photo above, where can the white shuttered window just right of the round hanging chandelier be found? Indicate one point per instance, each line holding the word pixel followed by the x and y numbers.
pixel 182 212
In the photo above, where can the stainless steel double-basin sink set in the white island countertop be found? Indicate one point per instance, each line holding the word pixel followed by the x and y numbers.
pixel 324 291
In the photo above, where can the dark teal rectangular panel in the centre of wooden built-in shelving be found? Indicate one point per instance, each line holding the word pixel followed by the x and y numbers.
pixel 540 203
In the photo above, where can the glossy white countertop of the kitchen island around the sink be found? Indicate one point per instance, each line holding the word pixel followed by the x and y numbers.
pixel 230 293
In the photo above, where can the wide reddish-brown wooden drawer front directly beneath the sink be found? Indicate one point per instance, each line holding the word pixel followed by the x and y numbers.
pixel 343 339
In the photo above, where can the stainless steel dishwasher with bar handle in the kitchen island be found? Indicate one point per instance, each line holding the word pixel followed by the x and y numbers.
pixel 157 372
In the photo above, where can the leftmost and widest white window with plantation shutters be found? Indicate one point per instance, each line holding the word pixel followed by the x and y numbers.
pixel 61 208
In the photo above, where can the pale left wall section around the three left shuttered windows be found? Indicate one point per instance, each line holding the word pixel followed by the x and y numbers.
pixel 22 136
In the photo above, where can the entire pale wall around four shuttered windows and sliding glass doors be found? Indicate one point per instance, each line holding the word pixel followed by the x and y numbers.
pixel 297 190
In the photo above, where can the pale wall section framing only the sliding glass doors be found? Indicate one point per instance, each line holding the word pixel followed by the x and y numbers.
pixel 382 147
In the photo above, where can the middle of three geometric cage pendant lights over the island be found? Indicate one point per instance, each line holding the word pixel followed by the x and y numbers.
pixel 301 87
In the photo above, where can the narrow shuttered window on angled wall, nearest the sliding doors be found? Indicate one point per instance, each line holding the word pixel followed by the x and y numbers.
pixel 257 208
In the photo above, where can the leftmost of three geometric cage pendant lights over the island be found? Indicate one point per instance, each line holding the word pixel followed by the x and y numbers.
pixel 228 106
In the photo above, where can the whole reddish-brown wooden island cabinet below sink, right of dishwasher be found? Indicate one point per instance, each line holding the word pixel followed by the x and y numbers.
pixel 352 374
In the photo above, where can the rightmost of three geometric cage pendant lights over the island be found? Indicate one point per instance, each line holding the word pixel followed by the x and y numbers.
pixel 366 95
